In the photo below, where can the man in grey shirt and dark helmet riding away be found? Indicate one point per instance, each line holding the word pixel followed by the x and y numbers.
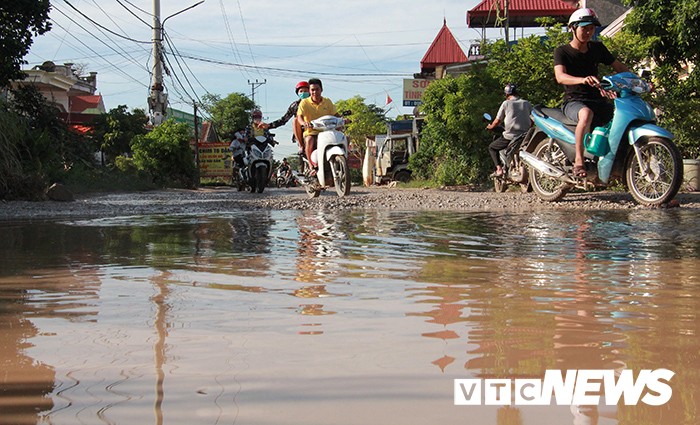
pixel 514 114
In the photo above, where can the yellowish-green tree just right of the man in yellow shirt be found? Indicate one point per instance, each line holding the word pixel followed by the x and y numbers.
pixel 366 120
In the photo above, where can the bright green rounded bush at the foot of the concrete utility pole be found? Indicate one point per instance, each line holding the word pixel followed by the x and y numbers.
pixel 165 154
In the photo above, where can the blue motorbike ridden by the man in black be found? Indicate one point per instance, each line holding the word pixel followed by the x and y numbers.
pixel 631 147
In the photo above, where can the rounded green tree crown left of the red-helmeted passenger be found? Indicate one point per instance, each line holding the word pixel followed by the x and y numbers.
pixel 229 114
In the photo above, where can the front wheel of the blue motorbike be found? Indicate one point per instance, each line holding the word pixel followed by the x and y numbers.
pixel 660 175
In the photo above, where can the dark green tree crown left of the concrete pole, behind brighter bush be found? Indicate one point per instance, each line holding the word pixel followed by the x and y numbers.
pixel 114 131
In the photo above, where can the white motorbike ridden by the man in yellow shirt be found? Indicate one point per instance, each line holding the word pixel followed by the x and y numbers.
pixel 331 155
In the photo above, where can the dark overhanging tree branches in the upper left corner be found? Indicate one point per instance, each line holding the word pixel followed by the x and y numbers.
pixel 19 20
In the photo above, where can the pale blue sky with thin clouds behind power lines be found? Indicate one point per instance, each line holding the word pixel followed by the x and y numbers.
pixel 358 47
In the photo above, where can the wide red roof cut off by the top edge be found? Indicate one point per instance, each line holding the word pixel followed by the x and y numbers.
pixel 522 13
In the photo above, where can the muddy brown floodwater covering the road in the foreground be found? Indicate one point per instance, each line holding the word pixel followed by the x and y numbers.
pixel 356 317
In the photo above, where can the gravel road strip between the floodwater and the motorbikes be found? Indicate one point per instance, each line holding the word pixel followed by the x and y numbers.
pixel 224 199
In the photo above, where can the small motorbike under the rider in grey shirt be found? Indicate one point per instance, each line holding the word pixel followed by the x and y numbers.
pixel 514 170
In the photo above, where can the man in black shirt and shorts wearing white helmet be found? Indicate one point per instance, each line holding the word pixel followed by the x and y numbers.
pixel 576 67
